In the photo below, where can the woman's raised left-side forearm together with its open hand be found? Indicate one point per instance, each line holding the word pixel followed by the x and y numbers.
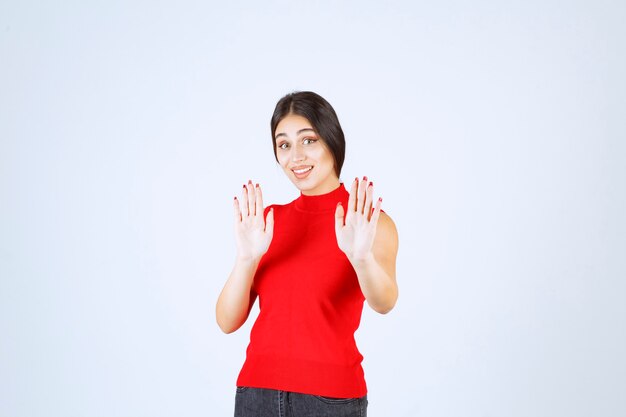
pixel 253 236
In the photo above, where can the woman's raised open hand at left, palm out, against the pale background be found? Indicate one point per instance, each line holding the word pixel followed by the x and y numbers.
pixel 253 233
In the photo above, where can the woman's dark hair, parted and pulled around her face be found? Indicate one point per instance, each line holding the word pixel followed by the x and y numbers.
pixel 320 114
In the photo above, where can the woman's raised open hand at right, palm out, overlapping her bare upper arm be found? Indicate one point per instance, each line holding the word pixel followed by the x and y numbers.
pixel 355 237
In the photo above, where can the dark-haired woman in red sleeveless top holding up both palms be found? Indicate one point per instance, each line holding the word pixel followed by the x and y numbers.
pixel 311 263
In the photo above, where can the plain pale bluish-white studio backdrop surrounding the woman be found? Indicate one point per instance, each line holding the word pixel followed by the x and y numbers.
pixel 495 132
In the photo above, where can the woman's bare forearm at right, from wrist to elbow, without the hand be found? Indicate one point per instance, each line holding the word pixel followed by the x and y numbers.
pixel 378 287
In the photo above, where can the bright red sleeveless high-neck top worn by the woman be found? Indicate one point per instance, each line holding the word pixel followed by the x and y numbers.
pixel 310 306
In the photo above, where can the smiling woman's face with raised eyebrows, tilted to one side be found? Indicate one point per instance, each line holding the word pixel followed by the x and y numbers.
pixel 304 157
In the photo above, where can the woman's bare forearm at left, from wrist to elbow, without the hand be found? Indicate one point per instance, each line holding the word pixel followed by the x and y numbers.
pixel 234 303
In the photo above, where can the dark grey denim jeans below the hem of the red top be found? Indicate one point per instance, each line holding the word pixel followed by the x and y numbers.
pixel 261 402
